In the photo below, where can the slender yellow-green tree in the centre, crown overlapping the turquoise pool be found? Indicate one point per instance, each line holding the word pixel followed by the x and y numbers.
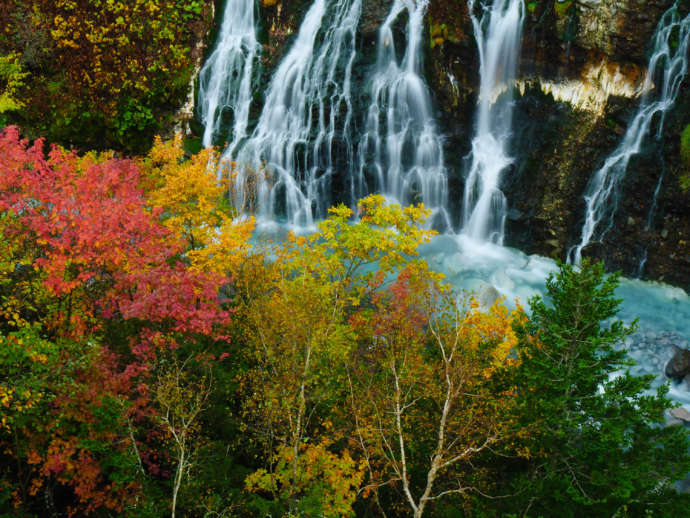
pixel 300 340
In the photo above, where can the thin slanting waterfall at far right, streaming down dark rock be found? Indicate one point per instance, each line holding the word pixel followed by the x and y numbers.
pixel 668 66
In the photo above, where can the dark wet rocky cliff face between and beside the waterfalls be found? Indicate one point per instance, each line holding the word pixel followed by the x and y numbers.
pixel 581 75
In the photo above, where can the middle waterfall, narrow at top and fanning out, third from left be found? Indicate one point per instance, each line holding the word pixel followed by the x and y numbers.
pixel 400 146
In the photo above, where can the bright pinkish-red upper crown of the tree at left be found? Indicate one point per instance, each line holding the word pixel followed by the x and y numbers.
pixel 85 227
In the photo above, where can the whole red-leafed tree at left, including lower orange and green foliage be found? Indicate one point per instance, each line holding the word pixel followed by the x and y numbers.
pixel 94 289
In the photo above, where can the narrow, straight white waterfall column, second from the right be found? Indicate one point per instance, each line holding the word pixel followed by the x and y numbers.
pixel 498 33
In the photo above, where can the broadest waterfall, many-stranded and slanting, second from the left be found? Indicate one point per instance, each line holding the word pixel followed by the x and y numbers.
pixel 289 159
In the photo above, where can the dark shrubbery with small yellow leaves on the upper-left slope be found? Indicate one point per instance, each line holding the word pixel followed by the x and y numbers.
pixel 103 73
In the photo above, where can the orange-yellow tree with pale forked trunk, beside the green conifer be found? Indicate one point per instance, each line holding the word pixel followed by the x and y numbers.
pixel 421 390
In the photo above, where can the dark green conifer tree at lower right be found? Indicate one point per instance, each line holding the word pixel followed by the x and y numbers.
pixel 593 434
